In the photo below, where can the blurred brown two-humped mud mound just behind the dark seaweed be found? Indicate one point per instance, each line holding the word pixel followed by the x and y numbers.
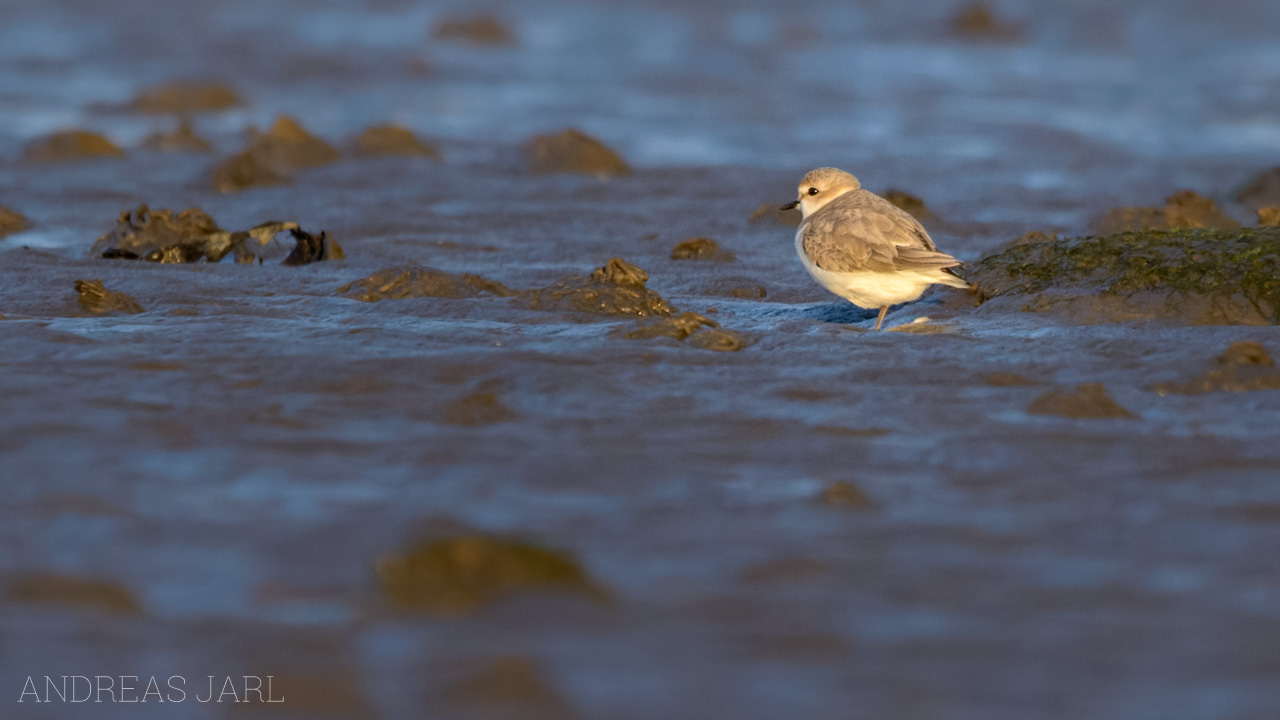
pixel 272 157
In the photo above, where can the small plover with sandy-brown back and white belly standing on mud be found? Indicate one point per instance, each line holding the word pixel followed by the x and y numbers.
pixel 865 249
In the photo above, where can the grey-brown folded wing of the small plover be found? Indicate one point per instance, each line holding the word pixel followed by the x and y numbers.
pixel 860 235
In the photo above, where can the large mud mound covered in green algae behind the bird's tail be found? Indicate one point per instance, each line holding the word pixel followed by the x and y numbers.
pixel 1190 277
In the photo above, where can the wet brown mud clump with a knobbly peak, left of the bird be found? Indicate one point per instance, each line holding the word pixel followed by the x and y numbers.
pixel 618 289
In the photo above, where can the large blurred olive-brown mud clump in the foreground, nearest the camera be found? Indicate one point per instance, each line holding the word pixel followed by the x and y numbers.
pixel 459 576
